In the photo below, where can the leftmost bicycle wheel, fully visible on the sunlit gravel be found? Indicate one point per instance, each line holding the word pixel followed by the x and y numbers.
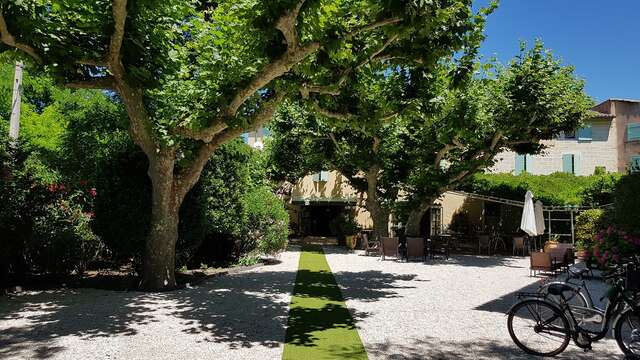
pixel 539 328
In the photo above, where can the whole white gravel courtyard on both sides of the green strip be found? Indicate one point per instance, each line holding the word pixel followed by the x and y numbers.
pixel 442 310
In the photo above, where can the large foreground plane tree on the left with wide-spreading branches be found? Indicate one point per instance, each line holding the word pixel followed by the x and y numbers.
pixel 193 75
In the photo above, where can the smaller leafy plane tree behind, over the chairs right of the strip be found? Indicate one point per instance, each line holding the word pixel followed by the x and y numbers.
pixel 404 136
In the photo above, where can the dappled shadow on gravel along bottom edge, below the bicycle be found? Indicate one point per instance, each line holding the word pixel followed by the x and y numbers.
pixel 430 348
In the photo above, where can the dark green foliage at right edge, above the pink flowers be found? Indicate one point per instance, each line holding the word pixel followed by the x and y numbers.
pixel 627 203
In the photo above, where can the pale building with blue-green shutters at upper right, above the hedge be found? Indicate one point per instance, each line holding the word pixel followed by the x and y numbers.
pixel 610 140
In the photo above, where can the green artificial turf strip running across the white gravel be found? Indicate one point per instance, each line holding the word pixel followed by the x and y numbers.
pixel 319 326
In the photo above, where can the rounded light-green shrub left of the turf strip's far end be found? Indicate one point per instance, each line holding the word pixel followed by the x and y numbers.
pixel 266 222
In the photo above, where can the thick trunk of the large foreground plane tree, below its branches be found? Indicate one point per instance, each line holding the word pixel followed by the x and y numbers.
pixel 159 258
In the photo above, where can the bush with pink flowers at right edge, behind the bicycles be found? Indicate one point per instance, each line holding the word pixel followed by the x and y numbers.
pixel 611 245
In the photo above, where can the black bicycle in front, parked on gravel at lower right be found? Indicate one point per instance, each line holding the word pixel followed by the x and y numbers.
pixel 542 327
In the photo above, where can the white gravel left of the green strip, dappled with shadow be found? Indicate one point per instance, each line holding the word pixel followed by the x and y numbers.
pixel 237 316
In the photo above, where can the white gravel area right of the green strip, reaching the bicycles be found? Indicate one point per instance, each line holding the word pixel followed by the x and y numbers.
pixel 451 309
